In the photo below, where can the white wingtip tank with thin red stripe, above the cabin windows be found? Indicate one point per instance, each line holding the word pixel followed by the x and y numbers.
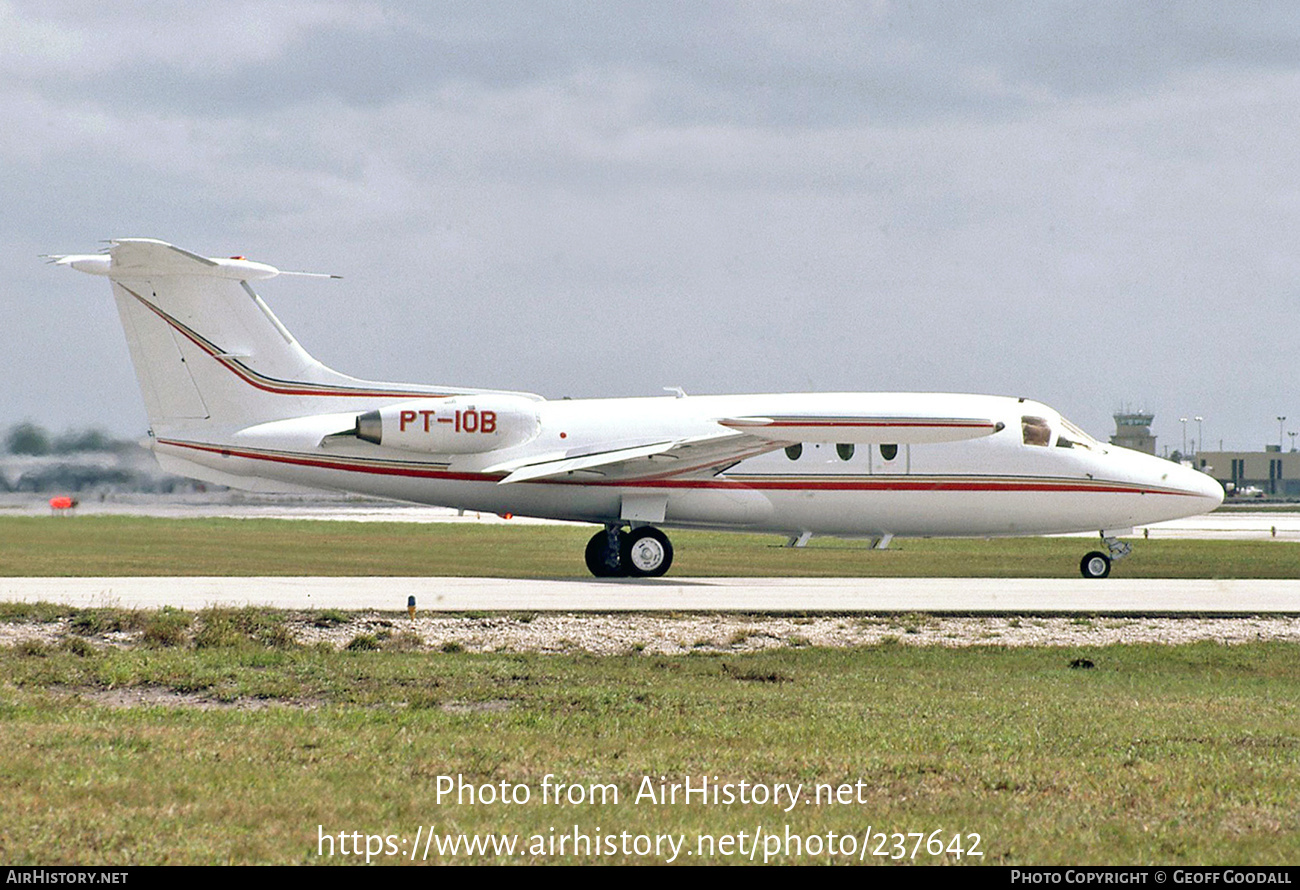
pixel 863 429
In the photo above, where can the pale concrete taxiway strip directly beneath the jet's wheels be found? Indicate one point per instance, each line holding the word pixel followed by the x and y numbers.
pixel 934 596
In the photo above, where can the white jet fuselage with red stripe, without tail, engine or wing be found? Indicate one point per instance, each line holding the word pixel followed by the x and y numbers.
pixel 998 485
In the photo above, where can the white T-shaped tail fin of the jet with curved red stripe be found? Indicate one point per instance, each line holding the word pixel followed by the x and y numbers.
pixel 209 353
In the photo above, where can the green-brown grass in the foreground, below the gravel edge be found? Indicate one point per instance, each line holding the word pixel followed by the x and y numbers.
pixel 1155 756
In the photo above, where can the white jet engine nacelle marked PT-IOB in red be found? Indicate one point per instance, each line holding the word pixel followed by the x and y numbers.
pixel 460 426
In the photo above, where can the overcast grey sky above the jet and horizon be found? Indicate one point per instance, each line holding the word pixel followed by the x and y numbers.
pixel 1090 205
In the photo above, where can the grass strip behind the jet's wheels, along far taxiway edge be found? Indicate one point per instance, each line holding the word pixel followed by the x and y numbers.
pixel 132 546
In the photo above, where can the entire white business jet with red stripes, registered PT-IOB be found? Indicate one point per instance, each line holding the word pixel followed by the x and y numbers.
pixel 235 400
